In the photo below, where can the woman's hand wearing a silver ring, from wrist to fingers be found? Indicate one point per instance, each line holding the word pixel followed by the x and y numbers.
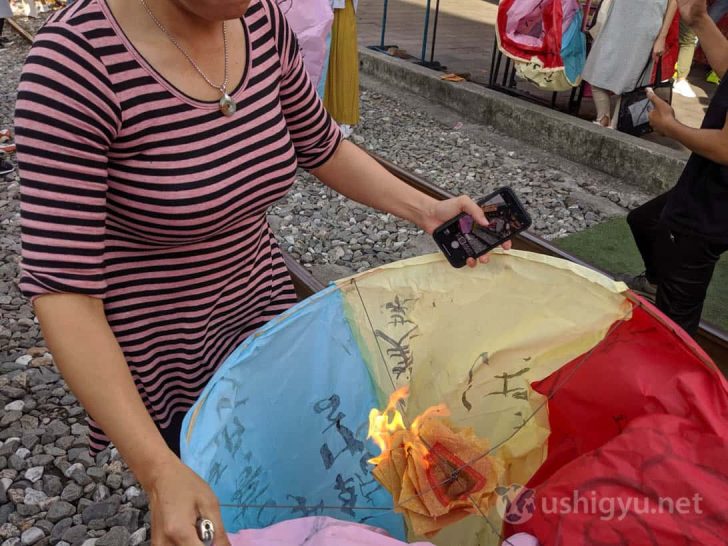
pixel 177 498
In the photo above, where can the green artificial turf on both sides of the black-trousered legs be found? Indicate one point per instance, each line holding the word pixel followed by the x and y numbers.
pixel 610 247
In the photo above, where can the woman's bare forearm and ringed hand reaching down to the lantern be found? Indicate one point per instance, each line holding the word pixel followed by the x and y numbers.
pixel 89 357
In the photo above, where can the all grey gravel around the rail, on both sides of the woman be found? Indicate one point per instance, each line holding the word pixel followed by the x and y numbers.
pixel 51 490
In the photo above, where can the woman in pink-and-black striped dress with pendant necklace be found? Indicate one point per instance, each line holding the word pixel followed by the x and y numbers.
pixel 152 137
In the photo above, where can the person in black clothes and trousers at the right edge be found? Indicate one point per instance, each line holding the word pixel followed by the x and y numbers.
pixel 682 233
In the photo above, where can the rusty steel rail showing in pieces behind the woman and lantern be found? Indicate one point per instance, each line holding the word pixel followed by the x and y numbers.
pixel 712 339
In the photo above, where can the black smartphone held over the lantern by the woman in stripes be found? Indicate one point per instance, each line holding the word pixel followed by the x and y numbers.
pixel 462 238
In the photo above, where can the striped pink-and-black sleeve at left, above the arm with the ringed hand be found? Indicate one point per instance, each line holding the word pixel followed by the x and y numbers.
pixel 66 116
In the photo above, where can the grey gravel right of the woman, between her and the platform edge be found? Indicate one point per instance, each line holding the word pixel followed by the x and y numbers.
pixel 334 236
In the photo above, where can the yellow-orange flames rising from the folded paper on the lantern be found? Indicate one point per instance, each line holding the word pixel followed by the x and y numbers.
pixel 383 425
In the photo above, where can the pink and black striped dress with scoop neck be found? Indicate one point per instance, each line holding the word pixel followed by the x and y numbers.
pixel 154 202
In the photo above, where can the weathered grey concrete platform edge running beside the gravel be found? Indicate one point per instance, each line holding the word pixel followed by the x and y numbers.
pixel 646 165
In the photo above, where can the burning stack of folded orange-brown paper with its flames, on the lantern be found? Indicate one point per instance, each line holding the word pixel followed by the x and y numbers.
pixel 437 474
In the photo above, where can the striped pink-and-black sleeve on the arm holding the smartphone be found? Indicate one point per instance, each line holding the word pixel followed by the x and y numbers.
pixel 314 133
